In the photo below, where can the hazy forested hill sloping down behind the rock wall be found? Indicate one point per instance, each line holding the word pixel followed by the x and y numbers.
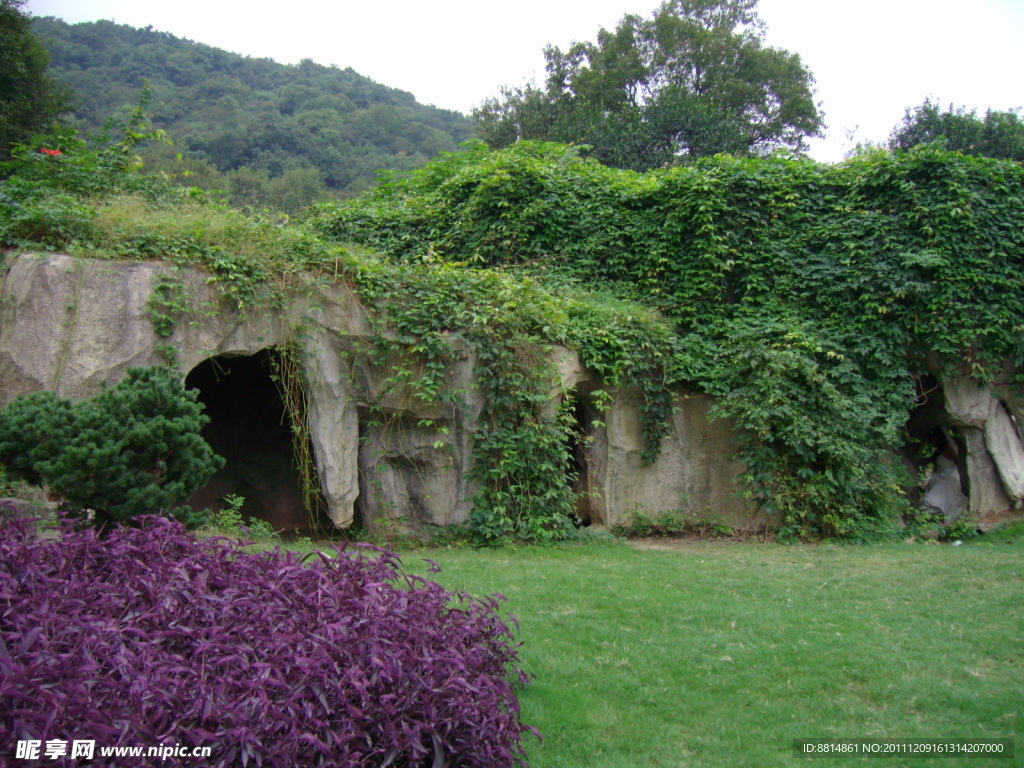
pixel 252 120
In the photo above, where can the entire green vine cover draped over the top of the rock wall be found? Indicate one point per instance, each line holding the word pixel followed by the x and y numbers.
pixel 809 300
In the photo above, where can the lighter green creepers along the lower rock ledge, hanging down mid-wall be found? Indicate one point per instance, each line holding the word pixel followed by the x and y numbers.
pixel 86 203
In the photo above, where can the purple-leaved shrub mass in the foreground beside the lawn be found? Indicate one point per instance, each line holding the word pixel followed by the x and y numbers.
pixel 151 636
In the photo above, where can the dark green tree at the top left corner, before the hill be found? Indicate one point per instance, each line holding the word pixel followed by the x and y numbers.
pixel 30 100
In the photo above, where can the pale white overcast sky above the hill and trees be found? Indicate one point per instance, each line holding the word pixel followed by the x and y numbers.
pixel 872 59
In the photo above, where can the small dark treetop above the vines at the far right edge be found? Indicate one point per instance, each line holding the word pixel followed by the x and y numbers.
pixel 999 135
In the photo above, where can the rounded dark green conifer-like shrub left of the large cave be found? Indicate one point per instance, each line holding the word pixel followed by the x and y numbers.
pixel 133 450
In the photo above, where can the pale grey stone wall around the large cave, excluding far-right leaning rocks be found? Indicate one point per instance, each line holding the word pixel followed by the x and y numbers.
pixel 69 325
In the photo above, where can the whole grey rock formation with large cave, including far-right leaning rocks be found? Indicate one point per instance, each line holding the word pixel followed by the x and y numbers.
pixel 70 325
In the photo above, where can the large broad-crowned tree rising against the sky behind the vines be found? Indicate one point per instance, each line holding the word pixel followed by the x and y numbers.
pixel 694 80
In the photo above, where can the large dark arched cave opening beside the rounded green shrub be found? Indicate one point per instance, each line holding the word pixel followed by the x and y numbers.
pixel 250 429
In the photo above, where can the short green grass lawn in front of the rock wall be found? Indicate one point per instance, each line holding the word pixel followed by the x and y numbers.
pixel 721 655
